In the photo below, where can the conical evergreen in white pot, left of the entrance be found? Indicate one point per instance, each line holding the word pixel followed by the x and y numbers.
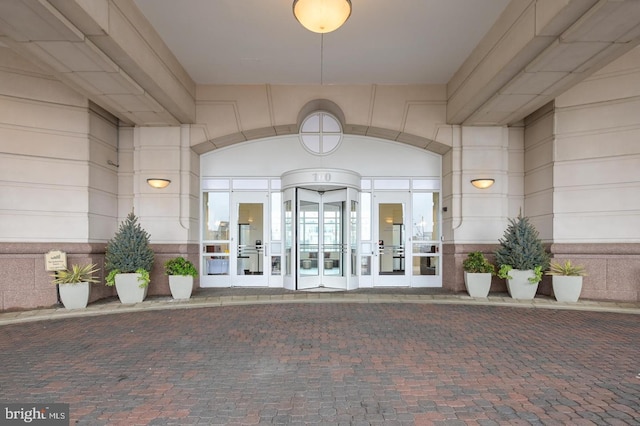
pixel 129 259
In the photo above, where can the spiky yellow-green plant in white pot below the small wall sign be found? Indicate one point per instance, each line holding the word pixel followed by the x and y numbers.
pixel 74 285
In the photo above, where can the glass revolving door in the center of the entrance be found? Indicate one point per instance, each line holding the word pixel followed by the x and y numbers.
pixel 322 232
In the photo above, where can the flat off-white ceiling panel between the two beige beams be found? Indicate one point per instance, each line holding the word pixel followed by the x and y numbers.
pixel 383 42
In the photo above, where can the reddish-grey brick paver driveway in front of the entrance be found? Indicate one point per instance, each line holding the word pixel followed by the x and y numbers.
pixel 332 364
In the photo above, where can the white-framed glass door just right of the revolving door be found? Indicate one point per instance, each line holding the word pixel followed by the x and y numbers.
pixel 390 220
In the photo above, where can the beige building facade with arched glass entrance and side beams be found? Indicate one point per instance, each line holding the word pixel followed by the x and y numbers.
pixel 318 186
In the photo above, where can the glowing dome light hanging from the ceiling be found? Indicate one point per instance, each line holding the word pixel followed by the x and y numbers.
pixel 322 16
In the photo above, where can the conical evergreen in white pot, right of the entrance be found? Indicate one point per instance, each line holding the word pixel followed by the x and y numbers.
pixel 521 258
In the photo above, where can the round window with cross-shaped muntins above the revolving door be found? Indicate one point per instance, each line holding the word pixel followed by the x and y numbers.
pixel 321 133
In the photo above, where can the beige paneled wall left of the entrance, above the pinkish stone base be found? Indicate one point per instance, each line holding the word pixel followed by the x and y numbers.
pixel 56 183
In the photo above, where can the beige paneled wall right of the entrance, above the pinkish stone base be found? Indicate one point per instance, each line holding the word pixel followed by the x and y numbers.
pixel 597 157
